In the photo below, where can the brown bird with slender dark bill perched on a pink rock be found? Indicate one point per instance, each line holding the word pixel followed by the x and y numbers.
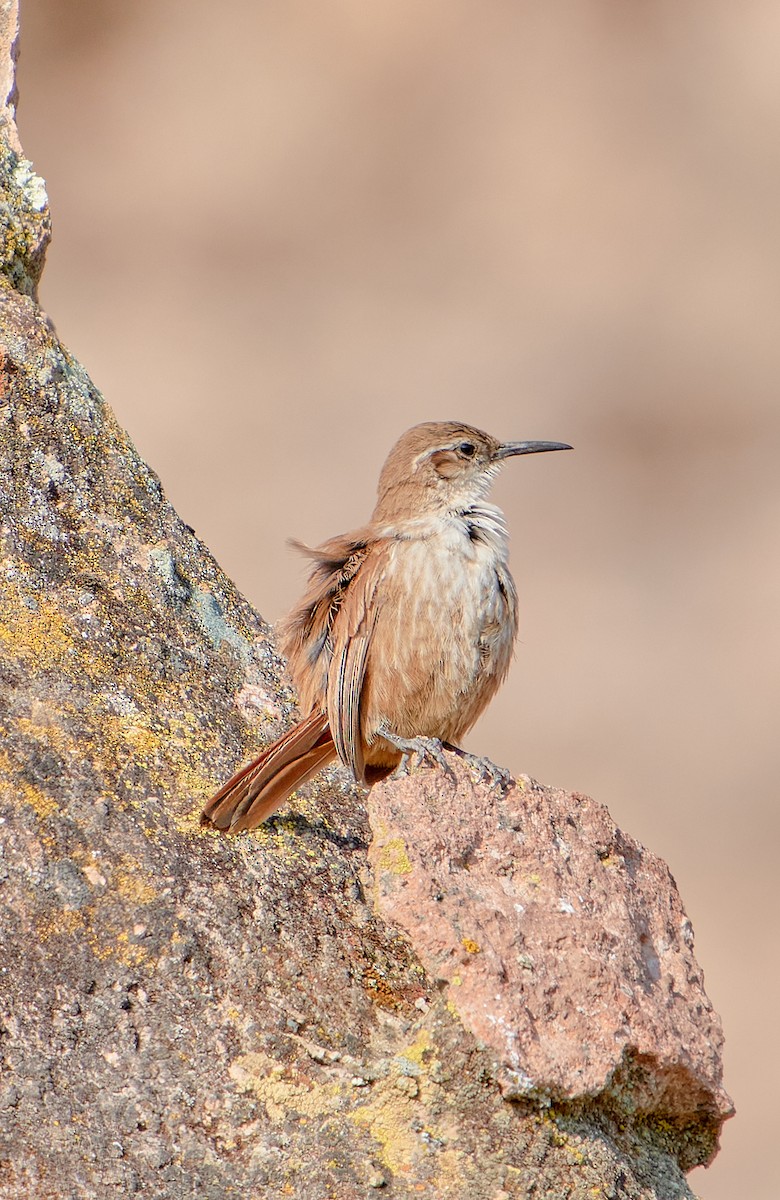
pixel 406 631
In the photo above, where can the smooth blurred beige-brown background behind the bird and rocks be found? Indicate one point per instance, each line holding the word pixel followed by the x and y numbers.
pixel 287 231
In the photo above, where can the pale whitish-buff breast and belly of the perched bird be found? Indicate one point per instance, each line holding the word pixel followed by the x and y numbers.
pixel 443 639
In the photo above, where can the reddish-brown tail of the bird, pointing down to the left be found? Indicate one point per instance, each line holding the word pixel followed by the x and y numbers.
pixel 259 789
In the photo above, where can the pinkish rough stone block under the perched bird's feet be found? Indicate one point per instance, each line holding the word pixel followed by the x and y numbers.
pixel 562 944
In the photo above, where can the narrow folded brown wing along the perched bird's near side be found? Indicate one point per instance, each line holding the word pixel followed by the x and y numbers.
pixel 351 635
